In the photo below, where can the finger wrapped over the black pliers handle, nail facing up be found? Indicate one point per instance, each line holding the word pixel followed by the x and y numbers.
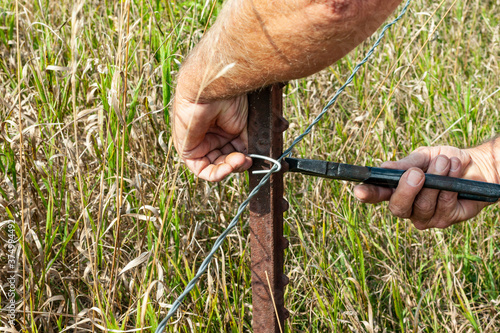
pixel 401 201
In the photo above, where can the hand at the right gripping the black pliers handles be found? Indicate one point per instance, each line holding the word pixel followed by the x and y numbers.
pixel 428 208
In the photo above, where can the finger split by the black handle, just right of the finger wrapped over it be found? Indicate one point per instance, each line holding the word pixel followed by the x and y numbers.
pixel 424 206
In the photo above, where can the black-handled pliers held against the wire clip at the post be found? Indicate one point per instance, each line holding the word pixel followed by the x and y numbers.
pixel 466 189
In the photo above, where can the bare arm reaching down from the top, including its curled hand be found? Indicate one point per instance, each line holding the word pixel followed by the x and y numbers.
pixel 253 44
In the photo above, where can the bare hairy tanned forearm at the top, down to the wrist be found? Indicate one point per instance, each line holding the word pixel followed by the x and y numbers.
pixel 259 42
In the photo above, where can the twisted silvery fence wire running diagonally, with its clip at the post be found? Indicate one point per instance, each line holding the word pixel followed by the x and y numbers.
pixel 241 208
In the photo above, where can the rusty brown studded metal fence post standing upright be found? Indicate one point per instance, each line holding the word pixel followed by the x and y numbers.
pixel 265 137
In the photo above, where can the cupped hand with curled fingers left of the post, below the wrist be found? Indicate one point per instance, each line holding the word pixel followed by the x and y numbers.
pixel 212 137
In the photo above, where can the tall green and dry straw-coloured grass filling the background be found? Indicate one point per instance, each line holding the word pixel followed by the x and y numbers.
pixel 114 226
